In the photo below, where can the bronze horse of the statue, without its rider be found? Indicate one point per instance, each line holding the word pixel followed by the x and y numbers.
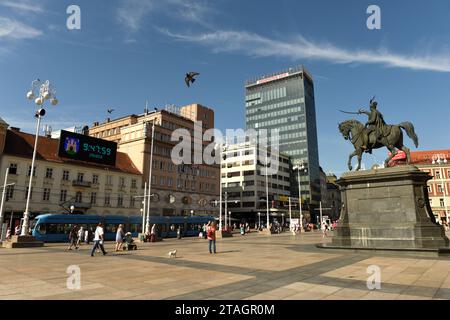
pixel 392 139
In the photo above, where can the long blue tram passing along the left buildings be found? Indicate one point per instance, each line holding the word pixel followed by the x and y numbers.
pixel 56 227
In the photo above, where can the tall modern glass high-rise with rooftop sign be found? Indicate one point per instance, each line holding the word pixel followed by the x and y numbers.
pixel 285 101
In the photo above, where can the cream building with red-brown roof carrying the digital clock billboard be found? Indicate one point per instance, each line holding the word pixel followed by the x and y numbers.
pixel 60 183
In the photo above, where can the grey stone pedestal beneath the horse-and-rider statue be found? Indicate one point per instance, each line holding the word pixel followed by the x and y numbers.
pixel 387 208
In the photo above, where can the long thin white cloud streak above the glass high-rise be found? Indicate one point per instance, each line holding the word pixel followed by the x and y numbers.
pixel 300 48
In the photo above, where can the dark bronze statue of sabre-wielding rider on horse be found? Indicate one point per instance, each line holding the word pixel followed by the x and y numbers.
pixel 376 134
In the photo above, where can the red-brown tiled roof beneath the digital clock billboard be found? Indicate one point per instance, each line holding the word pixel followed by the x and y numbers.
pixel 21 144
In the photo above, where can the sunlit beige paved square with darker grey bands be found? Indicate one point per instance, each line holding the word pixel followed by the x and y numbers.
pixel 246 267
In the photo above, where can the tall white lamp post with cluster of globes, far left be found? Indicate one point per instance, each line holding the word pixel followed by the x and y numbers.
pixel 46 92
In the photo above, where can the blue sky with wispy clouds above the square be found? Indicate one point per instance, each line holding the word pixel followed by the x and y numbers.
pixel 131 51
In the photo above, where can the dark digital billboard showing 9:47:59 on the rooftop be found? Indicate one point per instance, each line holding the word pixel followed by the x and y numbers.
pixel 85 148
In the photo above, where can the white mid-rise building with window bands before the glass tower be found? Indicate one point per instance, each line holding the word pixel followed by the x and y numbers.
pixel 244 185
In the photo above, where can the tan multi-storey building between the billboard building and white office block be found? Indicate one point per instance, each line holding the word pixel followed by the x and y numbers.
pixel 182 189
